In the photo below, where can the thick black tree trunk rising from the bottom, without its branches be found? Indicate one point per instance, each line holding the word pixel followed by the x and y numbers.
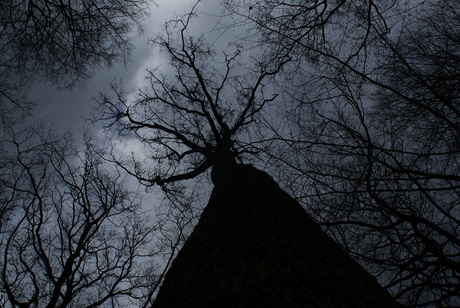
pixel 255 246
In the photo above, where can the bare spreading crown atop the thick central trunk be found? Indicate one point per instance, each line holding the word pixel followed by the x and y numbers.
pixel 185 118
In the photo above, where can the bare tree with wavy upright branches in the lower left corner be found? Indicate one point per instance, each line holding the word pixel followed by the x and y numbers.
pixel 71 234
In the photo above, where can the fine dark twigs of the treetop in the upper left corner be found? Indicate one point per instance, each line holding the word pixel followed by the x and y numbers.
pixel 60 42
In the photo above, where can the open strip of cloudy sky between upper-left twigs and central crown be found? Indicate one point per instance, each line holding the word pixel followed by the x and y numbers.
pixel 65 109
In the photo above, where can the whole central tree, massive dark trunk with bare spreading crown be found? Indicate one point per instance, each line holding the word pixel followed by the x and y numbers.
pixel 254 245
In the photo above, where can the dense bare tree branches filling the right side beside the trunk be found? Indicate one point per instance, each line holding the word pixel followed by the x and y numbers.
pixel 374 152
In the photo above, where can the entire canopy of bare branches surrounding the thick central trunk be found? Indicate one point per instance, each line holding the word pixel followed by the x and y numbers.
pixel 351 106
